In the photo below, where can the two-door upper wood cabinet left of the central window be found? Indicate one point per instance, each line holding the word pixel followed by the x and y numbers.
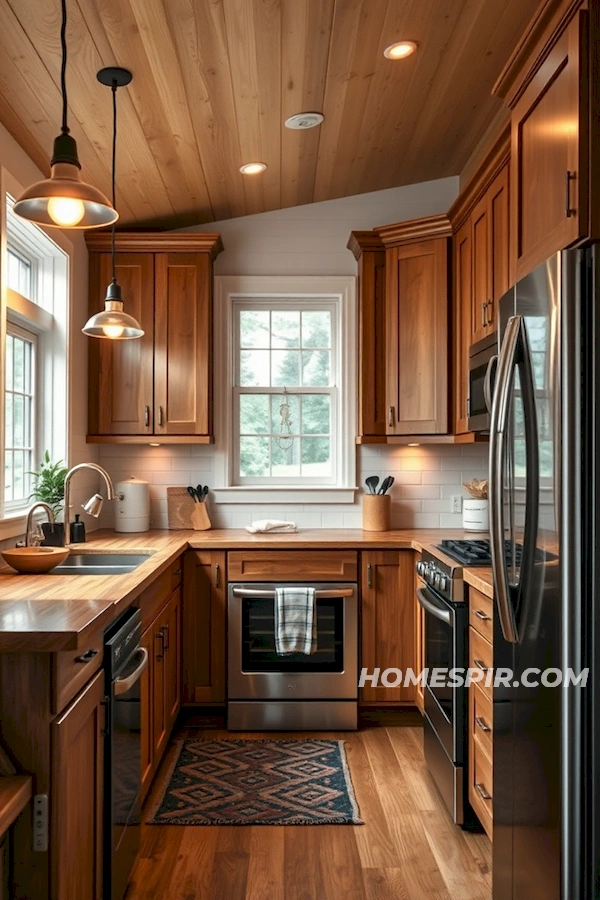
pixel 160 385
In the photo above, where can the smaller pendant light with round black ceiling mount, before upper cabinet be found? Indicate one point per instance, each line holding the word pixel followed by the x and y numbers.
pixel 112 322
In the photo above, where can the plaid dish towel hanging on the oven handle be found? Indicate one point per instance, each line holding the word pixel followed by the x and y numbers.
pixel 295 620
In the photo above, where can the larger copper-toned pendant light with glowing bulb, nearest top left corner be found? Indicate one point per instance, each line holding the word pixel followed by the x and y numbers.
pixel 64 200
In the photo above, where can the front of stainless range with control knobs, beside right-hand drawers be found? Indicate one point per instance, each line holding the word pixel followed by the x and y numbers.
pixel 440 594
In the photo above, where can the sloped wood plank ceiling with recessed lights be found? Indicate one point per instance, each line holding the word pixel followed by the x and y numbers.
pixel 214 81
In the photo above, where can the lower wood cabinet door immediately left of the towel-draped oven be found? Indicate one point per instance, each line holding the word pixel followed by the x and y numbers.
pixel 204 650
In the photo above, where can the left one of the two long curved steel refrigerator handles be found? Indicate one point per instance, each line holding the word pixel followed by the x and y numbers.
pixel 499 424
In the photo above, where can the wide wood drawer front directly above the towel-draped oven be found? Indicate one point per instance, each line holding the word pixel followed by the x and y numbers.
pixel 292 565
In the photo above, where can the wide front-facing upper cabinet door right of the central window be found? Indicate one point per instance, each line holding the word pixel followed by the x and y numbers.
pixel 417 338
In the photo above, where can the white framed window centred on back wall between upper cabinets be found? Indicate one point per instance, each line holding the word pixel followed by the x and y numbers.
pixel 285 359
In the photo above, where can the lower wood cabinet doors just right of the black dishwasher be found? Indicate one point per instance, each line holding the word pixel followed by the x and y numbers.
pixel 161 685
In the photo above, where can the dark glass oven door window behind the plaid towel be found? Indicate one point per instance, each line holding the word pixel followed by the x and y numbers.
pixel 258 639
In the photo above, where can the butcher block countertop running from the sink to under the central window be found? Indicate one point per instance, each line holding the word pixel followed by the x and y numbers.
pixel 55 612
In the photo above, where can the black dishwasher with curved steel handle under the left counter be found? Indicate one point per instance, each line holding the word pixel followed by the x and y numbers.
pixel 124 663
